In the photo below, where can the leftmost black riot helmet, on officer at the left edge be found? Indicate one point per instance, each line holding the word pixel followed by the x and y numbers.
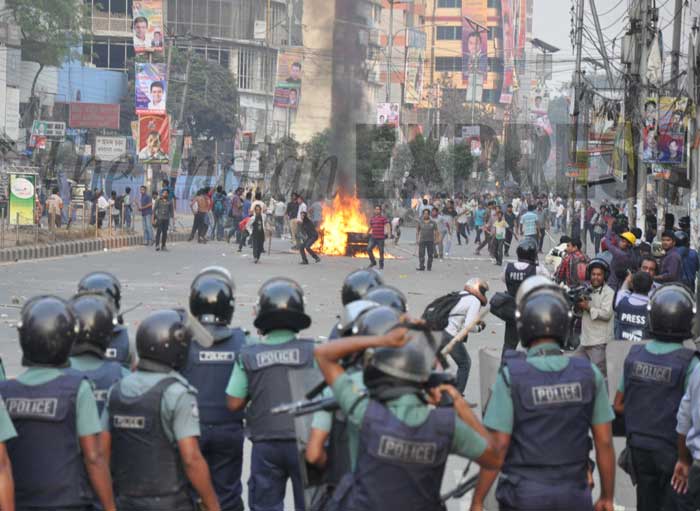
pixel 47 331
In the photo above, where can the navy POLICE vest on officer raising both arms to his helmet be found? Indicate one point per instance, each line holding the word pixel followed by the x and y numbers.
pixel 398 466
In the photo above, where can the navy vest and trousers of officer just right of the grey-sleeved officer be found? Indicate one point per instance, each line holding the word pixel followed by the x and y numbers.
pixel 208 370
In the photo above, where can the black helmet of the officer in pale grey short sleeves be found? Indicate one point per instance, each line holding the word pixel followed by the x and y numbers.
pixel 164 337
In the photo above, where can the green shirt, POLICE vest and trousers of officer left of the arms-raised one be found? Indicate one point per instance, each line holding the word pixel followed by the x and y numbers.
pixel 261 375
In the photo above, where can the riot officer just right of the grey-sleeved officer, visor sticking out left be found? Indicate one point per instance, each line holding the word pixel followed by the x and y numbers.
pixel 212 302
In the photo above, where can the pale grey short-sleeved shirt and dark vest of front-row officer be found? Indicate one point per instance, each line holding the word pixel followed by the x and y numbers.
pixel 147 413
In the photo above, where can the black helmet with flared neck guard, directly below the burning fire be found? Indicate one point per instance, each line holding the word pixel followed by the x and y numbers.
pixel 281 306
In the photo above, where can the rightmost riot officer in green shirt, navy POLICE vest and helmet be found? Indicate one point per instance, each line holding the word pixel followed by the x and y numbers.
pixel 658 373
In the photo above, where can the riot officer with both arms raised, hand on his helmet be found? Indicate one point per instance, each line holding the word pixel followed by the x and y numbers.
pixel 403 443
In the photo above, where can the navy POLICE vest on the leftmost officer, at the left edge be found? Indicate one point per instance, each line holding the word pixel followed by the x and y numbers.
pixel 47 465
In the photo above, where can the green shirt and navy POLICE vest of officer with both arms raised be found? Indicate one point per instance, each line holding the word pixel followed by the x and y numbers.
pixel 401 451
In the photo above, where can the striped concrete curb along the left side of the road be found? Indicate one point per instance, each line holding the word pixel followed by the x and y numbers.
pixel 77 247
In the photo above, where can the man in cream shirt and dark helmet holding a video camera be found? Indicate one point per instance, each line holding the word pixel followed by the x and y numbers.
pixel 597 319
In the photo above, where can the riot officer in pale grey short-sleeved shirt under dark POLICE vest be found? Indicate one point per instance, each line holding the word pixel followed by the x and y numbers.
pixel 151 422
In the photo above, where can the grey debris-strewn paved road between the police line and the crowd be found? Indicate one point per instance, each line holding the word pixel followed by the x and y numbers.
pixel 162 280
